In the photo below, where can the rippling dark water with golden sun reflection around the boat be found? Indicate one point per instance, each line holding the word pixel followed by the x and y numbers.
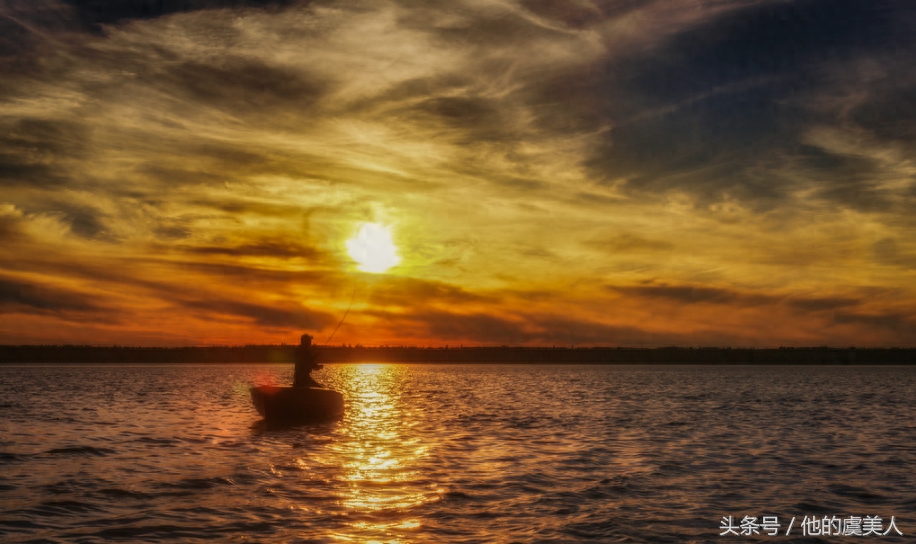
pixel 458 454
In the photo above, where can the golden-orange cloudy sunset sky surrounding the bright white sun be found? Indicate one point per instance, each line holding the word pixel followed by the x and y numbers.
pixel 633 173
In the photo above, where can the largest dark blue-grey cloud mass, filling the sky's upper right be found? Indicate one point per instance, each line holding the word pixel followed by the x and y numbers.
pixel 704 110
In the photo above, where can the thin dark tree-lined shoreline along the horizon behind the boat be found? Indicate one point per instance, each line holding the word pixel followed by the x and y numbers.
pixel 283 354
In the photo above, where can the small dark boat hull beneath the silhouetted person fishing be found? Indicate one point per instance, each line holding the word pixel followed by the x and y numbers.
pixel 291 405
